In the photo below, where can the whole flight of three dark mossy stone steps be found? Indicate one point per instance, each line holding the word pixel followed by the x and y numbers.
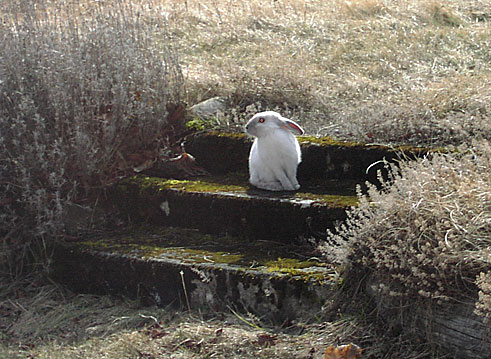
pixel 215 241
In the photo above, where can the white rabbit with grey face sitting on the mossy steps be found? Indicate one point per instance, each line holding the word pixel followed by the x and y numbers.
pixel 275 153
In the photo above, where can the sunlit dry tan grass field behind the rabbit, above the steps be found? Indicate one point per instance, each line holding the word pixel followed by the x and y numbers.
pixel 379 71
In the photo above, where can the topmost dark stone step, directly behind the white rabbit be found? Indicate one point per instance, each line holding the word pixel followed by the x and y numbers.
pixel 322 158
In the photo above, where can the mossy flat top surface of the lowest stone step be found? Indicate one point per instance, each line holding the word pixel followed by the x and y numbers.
pixel 191 247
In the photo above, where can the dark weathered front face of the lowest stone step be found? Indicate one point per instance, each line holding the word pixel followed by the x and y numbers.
pixel 272 296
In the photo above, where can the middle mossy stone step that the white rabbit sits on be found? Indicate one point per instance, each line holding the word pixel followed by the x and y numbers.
pixel 228 205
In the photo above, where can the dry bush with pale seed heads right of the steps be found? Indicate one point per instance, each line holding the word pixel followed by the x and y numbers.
pixel 427 231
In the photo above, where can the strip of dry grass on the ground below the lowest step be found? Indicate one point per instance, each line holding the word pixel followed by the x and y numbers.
pixel 48 322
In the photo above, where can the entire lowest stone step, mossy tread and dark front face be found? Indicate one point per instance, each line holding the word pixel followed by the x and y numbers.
pixel 273 280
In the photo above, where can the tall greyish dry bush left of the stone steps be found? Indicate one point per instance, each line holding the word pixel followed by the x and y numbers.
pixel 80 87
